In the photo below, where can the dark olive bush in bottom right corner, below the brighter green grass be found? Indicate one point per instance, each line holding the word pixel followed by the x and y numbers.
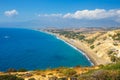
pixel 101 75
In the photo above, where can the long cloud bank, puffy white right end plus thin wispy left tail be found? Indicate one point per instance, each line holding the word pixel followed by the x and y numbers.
pixel 96 14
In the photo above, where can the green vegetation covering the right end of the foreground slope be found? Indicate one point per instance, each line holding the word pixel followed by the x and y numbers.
pixel 108 72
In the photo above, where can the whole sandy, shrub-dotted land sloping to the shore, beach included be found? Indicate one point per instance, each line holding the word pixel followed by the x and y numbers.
pixel 104 44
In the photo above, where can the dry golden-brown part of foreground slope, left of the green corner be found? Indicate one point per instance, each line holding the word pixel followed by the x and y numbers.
pixel 61 73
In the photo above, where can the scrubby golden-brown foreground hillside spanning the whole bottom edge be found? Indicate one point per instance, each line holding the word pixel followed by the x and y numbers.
pixel 101 72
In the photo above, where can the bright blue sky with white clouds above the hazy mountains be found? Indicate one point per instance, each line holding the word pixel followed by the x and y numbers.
pixel 31 10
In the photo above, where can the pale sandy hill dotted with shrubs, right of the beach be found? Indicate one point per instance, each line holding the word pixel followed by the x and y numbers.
pixel 105 44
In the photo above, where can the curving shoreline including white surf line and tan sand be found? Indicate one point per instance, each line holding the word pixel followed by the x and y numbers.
pixel 81 47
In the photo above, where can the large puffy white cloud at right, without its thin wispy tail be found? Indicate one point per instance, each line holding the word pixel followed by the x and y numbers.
pixel 94 14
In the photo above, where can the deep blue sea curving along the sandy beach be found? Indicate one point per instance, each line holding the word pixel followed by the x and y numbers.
pixel 30 49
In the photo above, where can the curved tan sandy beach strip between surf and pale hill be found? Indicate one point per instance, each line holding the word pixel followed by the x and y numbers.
pixel 85 49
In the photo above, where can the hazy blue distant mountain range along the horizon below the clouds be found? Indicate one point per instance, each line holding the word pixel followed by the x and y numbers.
pixel 62 23
